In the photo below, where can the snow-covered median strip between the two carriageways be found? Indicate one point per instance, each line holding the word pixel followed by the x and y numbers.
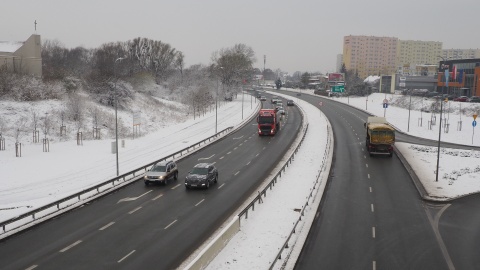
pixel 263 234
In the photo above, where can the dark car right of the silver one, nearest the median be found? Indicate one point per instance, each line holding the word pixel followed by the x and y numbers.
pixel 201 176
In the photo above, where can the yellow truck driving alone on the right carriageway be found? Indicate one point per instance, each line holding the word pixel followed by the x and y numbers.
pixel 380 136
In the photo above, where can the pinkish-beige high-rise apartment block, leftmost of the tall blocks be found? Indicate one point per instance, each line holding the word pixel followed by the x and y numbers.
pixel 370 55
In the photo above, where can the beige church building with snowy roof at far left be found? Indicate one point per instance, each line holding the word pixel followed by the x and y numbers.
pixel 22 57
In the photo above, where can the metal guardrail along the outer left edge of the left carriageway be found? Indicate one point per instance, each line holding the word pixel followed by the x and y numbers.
pixel 71 200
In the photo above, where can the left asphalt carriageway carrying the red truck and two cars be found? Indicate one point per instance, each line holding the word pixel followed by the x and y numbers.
pixel 155 226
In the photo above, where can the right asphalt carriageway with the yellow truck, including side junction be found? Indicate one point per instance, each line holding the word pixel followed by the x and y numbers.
pixel 372 216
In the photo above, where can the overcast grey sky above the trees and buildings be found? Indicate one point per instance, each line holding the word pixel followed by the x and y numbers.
pixel 304 35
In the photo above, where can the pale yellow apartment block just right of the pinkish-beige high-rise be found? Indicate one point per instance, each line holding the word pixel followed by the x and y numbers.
pixel 412 53
